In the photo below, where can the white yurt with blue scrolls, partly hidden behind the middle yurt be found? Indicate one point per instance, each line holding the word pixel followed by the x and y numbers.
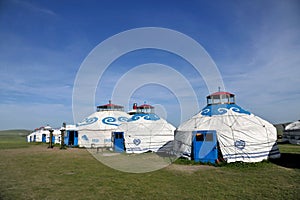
pixel 96 130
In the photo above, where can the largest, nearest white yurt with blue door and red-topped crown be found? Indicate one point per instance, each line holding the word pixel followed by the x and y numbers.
pixel 223 131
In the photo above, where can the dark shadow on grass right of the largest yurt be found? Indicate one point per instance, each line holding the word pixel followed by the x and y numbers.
pixel 288 160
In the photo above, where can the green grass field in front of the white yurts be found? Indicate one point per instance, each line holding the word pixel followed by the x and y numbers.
pixel 32 171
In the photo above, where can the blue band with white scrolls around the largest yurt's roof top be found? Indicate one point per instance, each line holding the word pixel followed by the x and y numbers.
pixel 221 109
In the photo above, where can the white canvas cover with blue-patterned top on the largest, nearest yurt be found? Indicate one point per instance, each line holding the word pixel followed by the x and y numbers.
pixel 241 135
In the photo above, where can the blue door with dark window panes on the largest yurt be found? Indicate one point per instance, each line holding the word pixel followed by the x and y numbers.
pixel 205 146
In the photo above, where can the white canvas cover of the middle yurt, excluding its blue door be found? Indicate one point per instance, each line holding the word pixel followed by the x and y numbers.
pixel 146 132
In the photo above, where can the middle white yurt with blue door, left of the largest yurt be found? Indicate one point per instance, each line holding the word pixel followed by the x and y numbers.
pixel 144 131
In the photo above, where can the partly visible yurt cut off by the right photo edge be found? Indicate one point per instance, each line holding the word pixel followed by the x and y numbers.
pixel 291 133
